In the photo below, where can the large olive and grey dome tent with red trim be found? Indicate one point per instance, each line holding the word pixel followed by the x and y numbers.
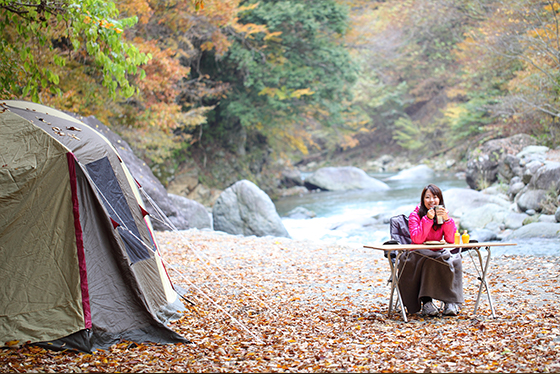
pixel 79 264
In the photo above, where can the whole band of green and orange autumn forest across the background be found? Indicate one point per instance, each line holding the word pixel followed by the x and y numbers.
pixel 246 89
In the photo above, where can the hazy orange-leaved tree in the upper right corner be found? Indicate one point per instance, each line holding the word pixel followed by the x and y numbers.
pixel 511 65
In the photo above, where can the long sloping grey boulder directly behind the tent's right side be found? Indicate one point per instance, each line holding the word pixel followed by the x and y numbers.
pixel 157 194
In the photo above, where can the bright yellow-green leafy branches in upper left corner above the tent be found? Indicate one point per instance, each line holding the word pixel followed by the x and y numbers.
pixel 39 37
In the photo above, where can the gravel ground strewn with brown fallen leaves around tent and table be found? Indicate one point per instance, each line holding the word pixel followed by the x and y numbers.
pixel 279 305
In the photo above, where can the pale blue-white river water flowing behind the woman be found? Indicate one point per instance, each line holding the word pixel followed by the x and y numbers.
pixel 357 217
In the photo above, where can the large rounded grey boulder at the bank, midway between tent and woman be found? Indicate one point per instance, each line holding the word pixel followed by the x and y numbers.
pixel 245 209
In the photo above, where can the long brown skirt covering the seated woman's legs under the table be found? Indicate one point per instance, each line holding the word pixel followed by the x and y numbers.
pixel 427 273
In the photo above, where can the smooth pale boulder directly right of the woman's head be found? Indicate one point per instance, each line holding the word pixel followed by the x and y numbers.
pixel 459 201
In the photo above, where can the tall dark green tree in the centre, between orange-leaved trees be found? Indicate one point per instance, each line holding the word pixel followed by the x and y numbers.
pixel 285 79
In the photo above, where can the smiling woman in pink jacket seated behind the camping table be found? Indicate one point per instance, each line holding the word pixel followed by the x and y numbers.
pixel 427 274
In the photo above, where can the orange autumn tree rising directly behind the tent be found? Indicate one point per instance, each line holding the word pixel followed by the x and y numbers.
pixel 173 34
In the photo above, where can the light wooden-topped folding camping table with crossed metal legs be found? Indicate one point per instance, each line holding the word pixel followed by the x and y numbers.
pixel 402 248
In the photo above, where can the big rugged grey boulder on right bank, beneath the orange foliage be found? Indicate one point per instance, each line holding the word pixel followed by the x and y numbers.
pixel 487 161
